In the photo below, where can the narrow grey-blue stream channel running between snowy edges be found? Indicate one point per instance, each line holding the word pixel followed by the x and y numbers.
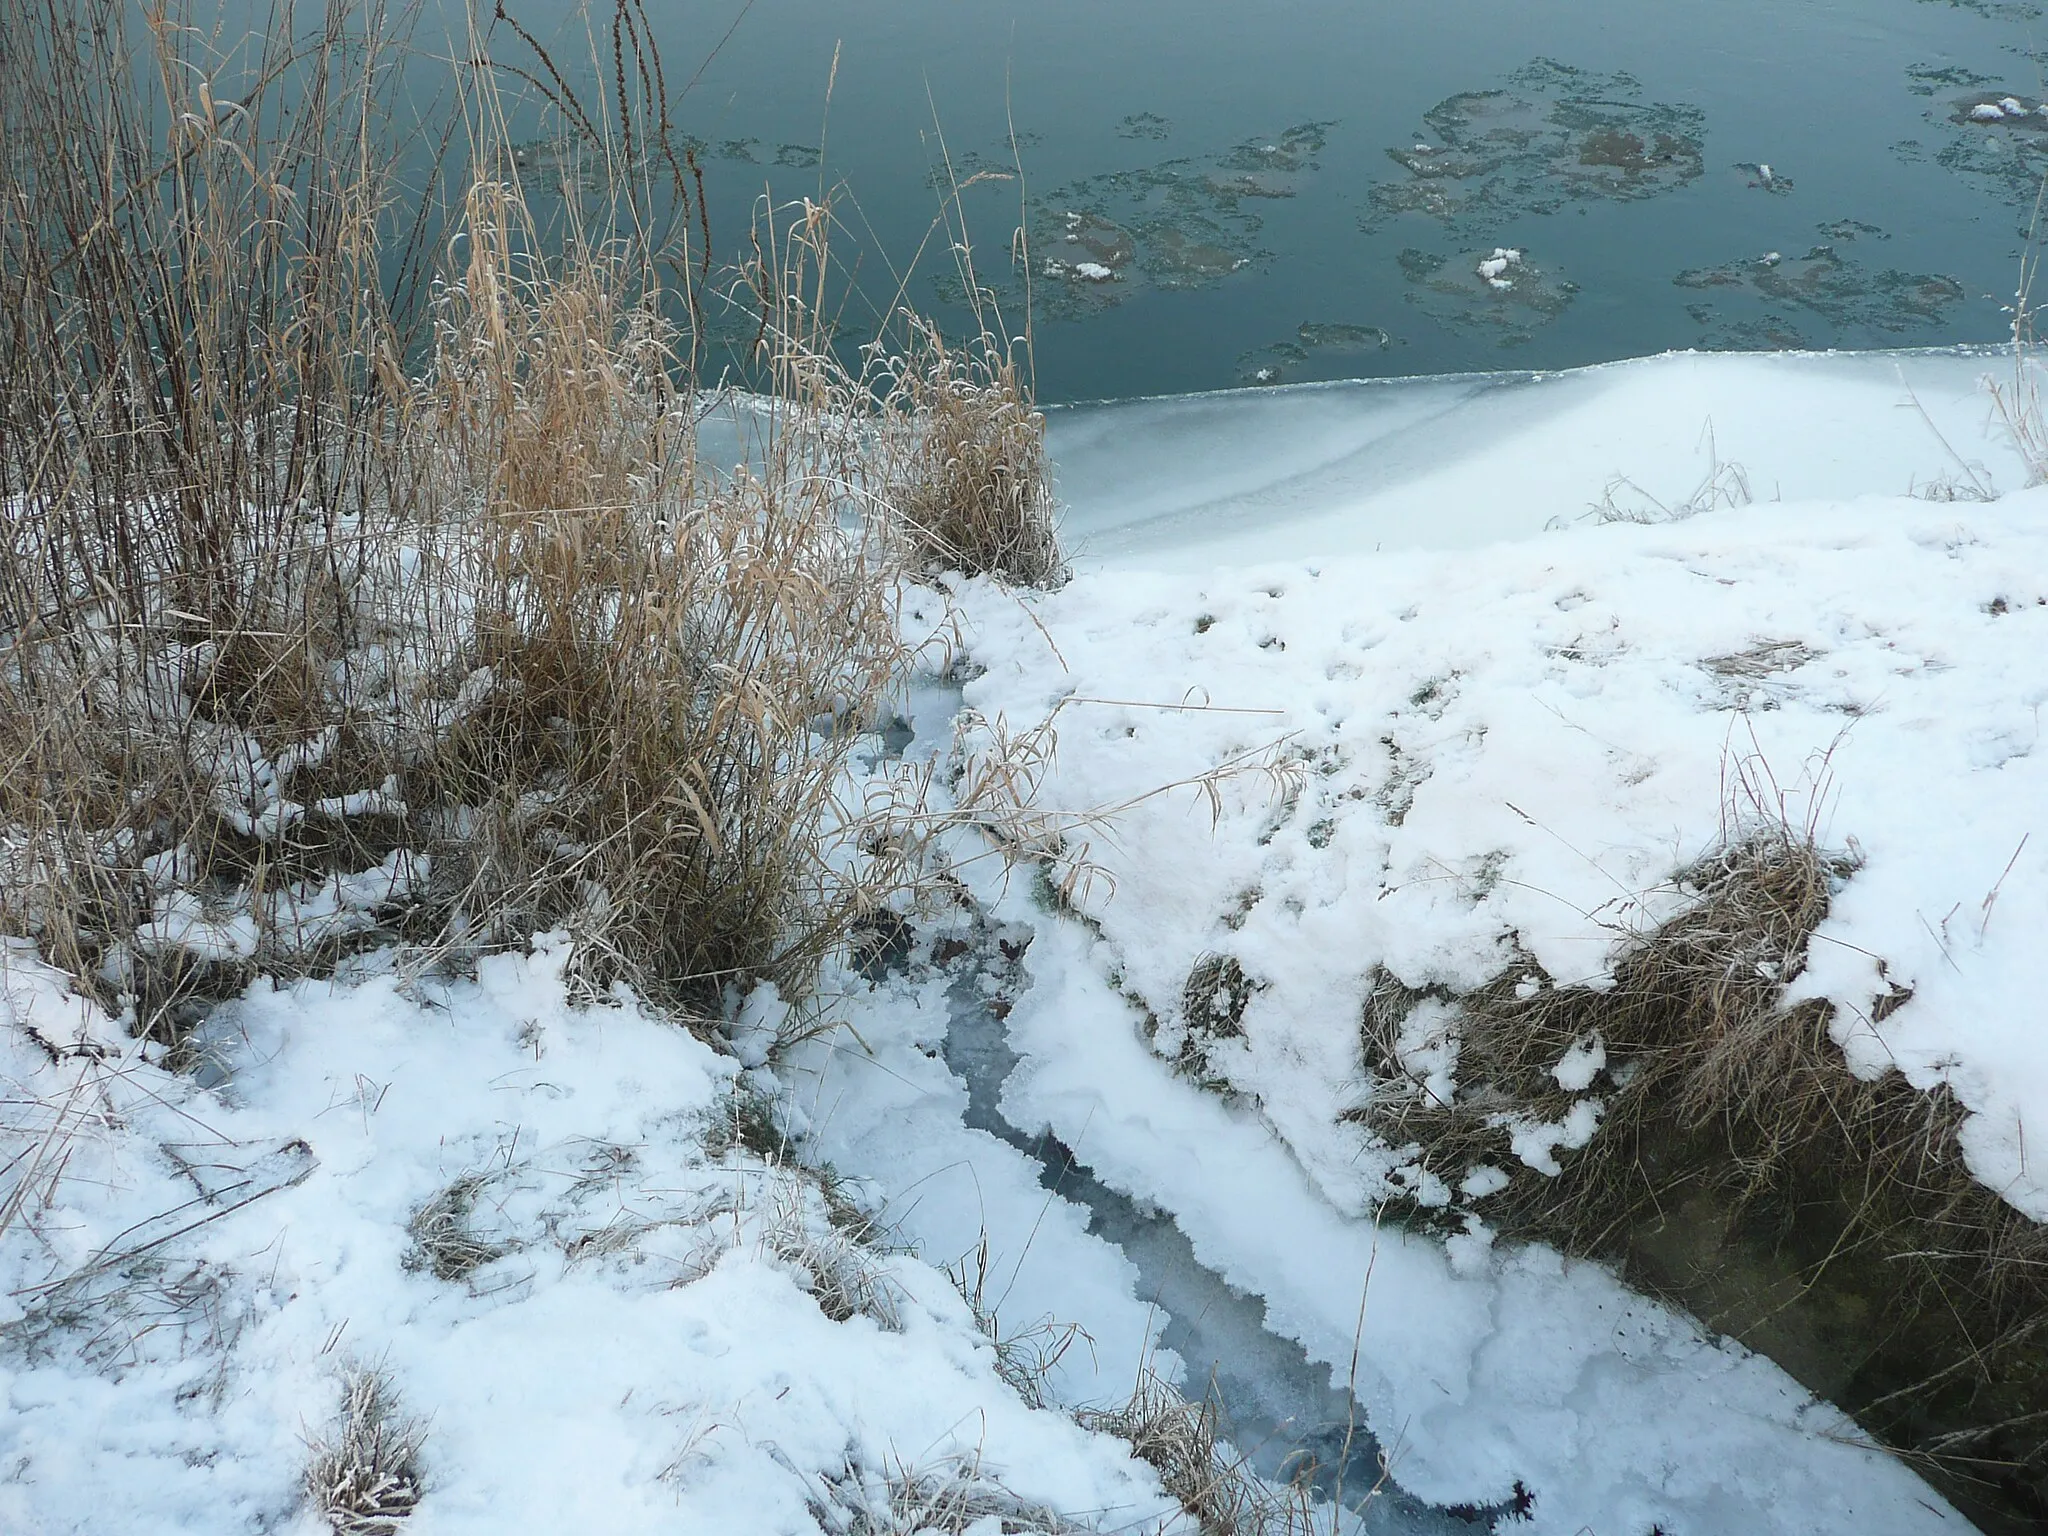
pixel 1277 1406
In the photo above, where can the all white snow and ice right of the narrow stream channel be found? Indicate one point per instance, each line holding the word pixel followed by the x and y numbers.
pixel 1502 757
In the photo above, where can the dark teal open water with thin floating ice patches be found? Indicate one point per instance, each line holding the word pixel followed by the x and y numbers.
pixel 1310 189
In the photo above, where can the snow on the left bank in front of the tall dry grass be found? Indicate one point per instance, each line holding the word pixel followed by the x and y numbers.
pixel 646 1355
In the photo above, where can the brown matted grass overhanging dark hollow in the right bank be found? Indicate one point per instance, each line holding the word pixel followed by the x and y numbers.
pixel 1732 1134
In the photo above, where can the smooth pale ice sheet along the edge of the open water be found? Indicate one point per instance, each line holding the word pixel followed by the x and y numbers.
pixel 1453 464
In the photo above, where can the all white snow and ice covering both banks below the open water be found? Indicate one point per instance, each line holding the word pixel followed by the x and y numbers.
pixel 1471 726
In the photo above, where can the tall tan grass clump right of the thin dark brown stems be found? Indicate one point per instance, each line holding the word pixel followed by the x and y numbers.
pixel 673 675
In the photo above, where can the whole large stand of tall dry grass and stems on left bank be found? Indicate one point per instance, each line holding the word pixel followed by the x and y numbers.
pixel 331 620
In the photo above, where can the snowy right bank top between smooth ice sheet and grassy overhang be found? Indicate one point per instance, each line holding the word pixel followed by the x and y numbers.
pixel 1521 746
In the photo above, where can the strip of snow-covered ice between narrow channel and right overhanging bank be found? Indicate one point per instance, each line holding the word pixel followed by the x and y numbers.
pixel 1615 1412
